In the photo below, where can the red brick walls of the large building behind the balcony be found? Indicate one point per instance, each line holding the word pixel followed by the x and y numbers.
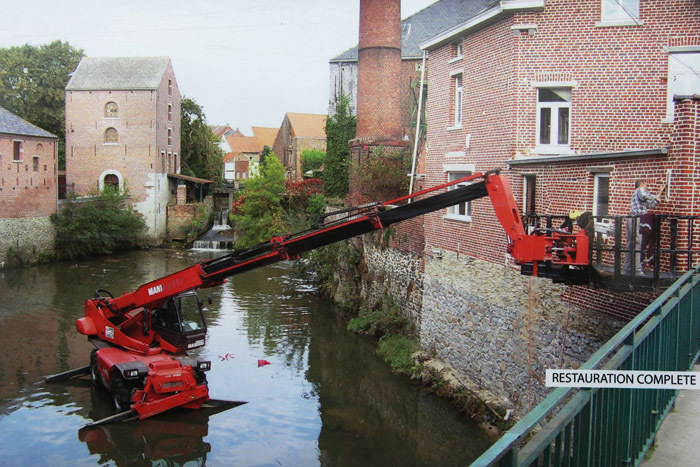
pixel 618 78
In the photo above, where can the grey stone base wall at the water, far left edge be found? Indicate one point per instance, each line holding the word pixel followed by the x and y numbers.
pixel 25 240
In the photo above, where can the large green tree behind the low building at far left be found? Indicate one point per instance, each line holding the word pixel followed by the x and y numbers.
pixel 33 82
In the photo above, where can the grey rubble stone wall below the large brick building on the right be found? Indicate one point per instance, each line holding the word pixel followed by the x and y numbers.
pixel 500 331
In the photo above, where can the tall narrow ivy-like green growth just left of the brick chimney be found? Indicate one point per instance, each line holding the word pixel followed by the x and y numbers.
pixel 340 129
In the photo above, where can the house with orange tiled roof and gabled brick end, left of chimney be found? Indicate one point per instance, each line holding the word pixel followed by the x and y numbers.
pixel 297 133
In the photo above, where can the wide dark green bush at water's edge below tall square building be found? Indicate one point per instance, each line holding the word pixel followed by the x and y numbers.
pixel 97 225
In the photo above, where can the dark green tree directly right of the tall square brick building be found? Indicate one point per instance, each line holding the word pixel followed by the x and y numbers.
pixel 201 155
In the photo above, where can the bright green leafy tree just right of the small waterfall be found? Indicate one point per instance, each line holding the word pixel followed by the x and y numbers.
pixel 258 212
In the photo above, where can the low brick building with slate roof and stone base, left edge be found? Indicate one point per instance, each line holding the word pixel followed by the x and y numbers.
pixel 28 189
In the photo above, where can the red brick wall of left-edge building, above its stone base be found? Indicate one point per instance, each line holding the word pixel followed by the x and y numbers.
pixel 24 191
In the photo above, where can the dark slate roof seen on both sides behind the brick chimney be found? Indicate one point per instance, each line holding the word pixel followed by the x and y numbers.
pixel 427 23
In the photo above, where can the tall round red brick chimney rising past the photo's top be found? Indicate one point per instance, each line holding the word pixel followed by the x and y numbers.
pixel 378 88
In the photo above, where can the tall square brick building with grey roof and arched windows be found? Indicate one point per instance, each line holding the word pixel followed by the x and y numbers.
pixel 123 129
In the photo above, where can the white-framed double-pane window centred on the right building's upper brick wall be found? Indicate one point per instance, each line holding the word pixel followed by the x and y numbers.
pixel 553 120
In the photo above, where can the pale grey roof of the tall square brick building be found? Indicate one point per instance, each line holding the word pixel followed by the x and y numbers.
pixel 118 73
